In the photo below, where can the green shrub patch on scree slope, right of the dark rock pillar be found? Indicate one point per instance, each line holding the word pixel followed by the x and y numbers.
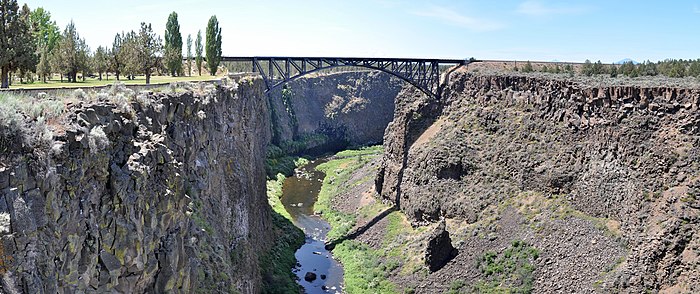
pixel 507 272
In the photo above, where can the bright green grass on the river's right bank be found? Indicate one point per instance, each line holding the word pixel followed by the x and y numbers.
pixel 367 270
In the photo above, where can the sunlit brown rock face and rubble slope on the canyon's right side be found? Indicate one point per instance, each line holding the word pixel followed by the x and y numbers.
pixel 602 179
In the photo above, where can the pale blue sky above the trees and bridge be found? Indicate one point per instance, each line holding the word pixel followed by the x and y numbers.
pixel 510 29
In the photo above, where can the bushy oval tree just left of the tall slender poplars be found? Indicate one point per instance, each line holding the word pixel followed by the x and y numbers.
pixel 149 47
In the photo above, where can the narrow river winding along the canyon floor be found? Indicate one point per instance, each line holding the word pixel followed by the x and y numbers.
pixel 299 194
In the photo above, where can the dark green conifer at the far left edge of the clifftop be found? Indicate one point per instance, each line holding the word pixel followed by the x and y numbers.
pixel 16 41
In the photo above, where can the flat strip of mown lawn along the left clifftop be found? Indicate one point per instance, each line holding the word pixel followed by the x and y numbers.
pixel 92 82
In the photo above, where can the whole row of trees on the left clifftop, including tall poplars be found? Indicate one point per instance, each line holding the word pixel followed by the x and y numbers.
pixel 32 45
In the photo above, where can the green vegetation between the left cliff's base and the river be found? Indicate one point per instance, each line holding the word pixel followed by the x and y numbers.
pixel 277 263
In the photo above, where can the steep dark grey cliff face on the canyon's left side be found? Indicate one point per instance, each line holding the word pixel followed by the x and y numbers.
pixel 163 195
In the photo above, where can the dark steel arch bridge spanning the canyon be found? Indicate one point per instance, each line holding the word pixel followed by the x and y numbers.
pixel 422 73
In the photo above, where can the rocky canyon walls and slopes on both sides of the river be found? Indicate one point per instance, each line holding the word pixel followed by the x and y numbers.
pixel 586 185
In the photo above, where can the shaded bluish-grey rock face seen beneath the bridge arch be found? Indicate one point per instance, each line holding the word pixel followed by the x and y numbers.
pixel 349 109
